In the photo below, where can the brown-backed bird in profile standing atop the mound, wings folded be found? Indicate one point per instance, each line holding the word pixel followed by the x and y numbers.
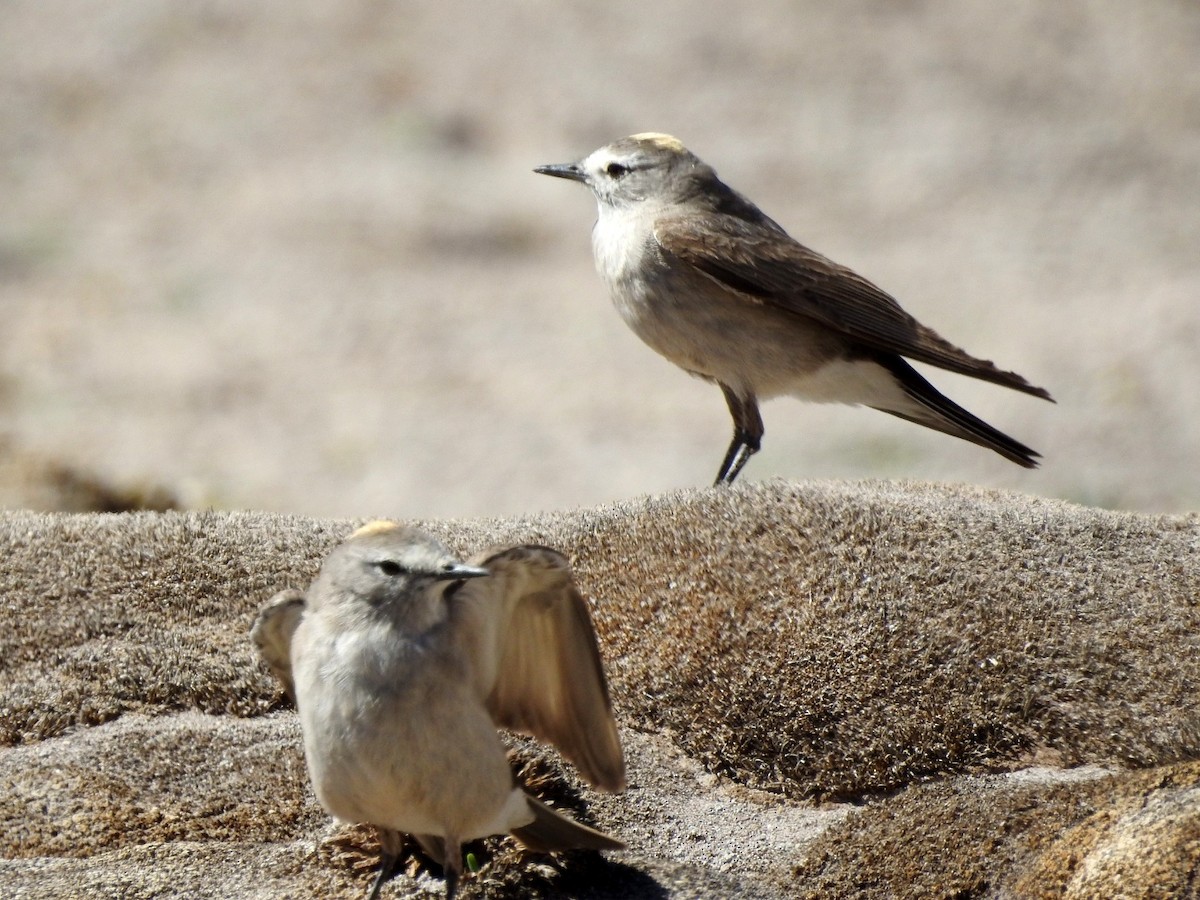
pixel 707 280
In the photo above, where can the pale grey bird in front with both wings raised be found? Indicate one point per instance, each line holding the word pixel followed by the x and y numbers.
pixel 404 662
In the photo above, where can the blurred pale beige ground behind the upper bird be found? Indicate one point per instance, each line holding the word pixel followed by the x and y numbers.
pixel 291 256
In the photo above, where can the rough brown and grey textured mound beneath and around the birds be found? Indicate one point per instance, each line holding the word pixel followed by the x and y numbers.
pixel 826 689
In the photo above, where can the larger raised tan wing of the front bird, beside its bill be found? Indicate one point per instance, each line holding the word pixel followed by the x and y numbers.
pixel 538 663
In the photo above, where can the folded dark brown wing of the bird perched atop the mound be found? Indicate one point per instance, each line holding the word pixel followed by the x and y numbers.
pixel 760 262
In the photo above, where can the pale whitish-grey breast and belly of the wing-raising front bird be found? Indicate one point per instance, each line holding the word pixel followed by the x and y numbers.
pixel 416 752
